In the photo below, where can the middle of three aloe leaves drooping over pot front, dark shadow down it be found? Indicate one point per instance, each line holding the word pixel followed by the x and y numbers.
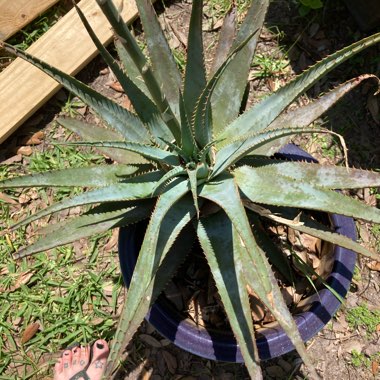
pixel 226 269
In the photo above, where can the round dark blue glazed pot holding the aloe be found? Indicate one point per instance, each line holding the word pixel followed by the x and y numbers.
pixel 272 342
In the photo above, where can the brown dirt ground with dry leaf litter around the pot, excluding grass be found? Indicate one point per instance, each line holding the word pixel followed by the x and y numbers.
pixel 306 41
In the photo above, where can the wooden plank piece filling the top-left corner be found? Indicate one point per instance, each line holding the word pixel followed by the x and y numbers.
pixel 15 14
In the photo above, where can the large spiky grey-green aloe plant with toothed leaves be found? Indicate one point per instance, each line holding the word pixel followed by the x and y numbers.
pixel 188 145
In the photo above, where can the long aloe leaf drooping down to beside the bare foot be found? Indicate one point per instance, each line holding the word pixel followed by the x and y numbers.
pixel 164 227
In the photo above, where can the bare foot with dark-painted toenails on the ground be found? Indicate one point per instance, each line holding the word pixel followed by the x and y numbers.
pixel 75 363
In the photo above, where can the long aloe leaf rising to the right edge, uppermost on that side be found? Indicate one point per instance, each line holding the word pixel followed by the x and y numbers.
pixel 260 116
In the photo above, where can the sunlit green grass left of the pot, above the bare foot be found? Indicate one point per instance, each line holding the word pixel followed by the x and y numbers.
pixel 71 292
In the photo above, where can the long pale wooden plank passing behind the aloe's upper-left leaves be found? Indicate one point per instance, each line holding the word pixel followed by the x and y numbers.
pixel 24 88
